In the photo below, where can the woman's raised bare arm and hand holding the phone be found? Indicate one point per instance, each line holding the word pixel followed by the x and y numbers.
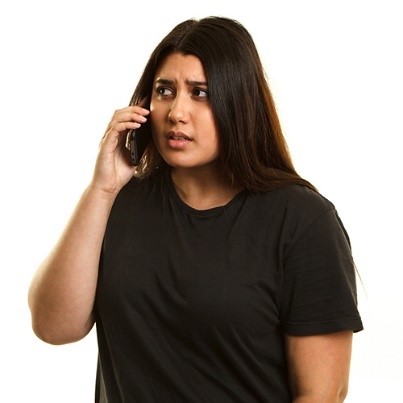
pixel 62 293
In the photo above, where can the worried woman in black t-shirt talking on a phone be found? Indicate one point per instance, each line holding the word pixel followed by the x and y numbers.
pixel 212 270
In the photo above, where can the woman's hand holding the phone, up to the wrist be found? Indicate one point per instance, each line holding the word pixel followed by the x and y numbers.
pixel 113 168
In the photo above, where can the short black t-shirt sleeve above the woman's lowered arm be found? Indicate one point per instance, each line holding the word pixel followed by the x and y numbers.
pixel 318 293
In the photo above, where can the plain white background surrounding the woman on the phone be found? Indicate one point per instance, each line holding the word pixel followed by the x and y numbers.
pixel 335 70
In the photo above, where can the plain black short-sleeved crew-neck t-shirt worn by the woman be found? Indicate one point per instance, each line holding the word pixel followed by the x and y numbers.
pixel 192 305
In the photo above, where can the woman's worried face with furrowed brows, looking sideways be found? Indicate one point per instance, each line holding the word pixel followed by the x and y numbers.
pixel 183 126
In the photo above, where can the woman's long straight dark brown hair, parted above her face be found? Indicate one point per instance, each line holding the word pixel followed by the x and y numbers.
pixel 253 152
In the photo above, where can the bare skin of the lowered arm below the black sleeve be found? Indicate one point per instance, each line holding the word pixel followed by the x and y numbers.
pixel 319 366
